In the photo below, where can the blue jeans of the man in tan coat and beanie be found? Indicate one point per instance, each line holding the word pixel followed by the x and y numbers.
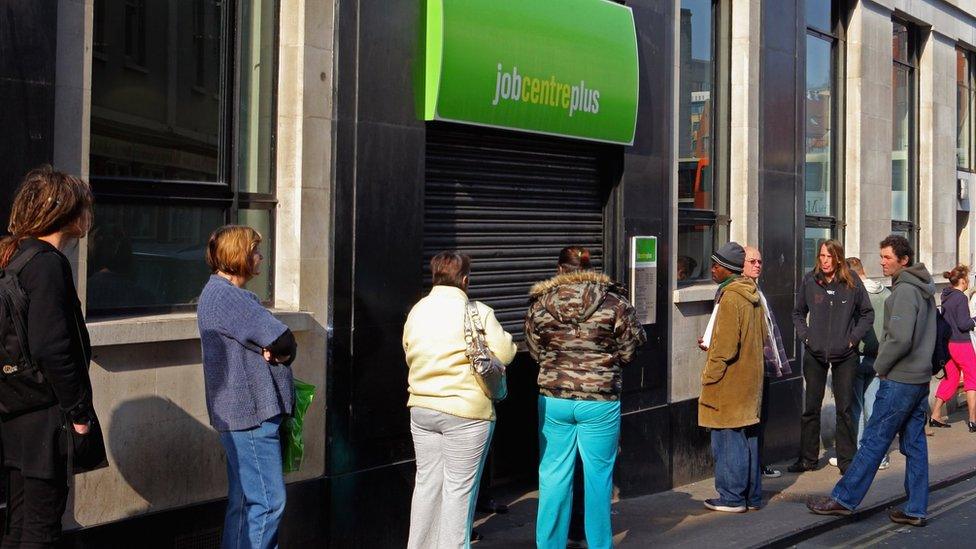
pixel 738 474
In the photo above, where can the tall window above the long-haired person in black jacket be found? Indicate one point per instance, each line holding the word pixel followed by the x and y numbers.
pixel 823 147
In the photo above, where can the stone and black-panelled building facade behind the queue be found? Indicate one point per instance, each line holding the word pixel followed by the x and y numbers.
pixel 777 123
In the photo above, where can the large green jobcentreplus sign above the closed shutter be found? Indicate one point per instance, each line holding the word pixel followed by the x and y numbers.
pixel 566 67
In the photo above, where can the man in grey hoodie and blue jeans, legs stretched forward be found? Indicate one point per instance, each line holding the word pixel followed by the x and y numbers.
pixel 904 365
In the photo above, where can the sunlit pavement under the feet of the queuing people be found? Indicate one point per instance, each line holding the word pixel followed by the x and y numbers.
pixel 677 518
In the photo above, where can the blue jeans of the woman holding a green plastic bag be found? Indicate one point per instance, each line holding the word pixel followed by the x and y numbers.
pixel 255 486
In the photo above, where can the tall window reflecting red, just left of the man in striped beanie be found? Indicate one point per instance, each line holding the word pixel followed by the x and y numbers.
pixel 702 126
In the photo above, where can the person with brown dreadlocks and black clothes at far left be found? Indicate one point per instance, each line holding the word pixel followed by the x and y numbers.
pixel 51 211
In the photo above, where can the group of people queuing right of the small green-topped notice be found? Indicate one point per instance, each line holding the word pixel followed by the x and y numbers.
pixel 877 344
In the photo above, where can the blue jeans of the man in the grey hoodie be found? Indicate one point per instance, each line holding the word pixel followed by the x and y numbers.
pixel 899 409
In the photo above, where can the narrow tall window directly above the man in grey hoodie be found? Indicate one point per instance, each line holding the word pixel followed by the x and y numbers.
pixel 904 150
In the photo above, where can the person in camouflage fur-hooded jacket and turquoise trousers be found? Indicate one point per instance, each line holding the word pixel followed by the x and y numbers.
pixel 581 330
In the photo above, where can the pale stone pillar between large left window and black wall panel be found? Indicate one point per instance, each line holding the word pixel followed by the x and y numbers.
pixel 304 156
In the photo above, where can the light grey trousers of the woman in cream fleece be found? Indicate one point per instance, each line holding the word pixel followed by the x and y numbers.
pixel 450 453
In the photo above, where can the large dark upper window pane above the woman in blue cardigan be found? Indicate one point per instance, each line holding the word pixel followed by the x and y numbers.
pixel 155 91
